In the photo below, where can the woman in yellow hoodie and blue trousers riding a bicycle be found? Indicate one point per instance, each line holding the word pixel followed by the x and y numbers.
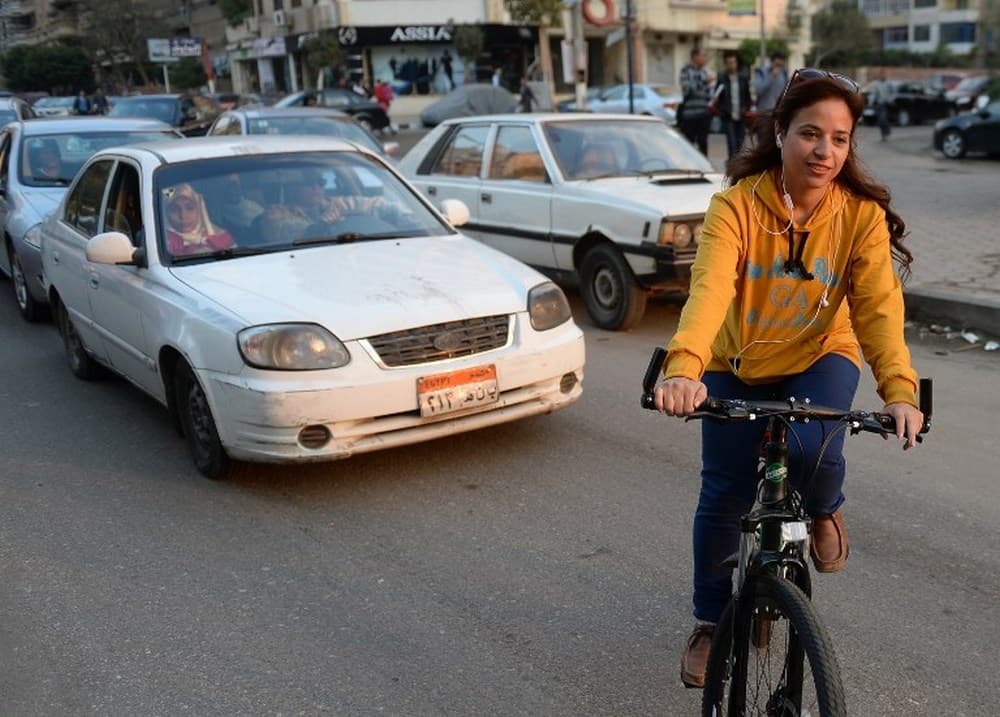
pixel 793 280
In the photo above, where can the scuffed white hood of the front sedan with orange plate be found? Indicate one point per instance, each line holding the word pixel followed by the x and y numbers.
pixel 367 288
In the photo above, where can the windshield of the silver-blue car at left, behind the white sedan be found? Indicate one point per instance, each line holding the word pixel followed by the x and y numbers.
pixel 53 159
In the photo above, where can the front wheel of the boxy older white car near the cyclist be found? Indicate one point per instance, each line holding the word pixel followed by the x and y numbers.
pixel 613 298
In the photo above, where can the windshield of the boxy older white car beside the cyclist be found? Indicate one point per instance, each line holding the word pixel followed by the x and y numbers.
pixel 594 149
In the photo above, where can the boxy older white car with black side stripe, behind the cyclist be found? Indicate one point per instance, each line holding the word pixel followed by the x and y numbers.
pixel 612 202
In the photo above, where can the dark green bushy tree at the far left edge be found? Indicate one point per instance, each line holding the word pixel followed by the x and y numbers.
pixel 47 67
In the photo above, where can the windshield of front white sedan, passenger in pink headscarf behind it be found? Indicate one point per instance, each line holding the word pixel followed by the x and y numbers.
pixel 226 207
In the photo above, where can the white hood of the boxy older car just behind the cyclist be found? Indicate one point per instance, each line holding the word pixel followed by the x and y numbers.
pixel 672 194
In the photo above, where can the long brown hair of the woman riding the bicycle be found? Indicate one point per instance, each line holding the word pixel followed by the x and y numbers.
pixel 764 153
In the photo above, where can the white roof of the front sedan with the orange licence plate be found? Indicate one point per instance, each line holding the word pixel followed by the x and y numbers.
pixel 194 148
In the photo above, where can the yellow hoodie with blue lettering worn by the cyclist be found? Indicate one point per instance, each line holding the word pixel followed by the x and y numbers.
pixel 746 314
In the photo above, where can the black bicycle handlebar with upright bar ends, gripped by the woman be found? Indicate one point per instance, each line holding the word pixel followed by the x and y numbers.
pixel 740 410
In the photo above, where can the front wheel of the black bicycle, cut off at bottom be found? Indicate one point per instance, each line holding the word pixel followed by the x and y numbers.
pixel 774 661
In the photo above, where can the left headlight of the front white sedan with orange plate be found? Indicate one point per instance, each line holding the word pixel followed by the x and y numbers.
pixel 292 347
